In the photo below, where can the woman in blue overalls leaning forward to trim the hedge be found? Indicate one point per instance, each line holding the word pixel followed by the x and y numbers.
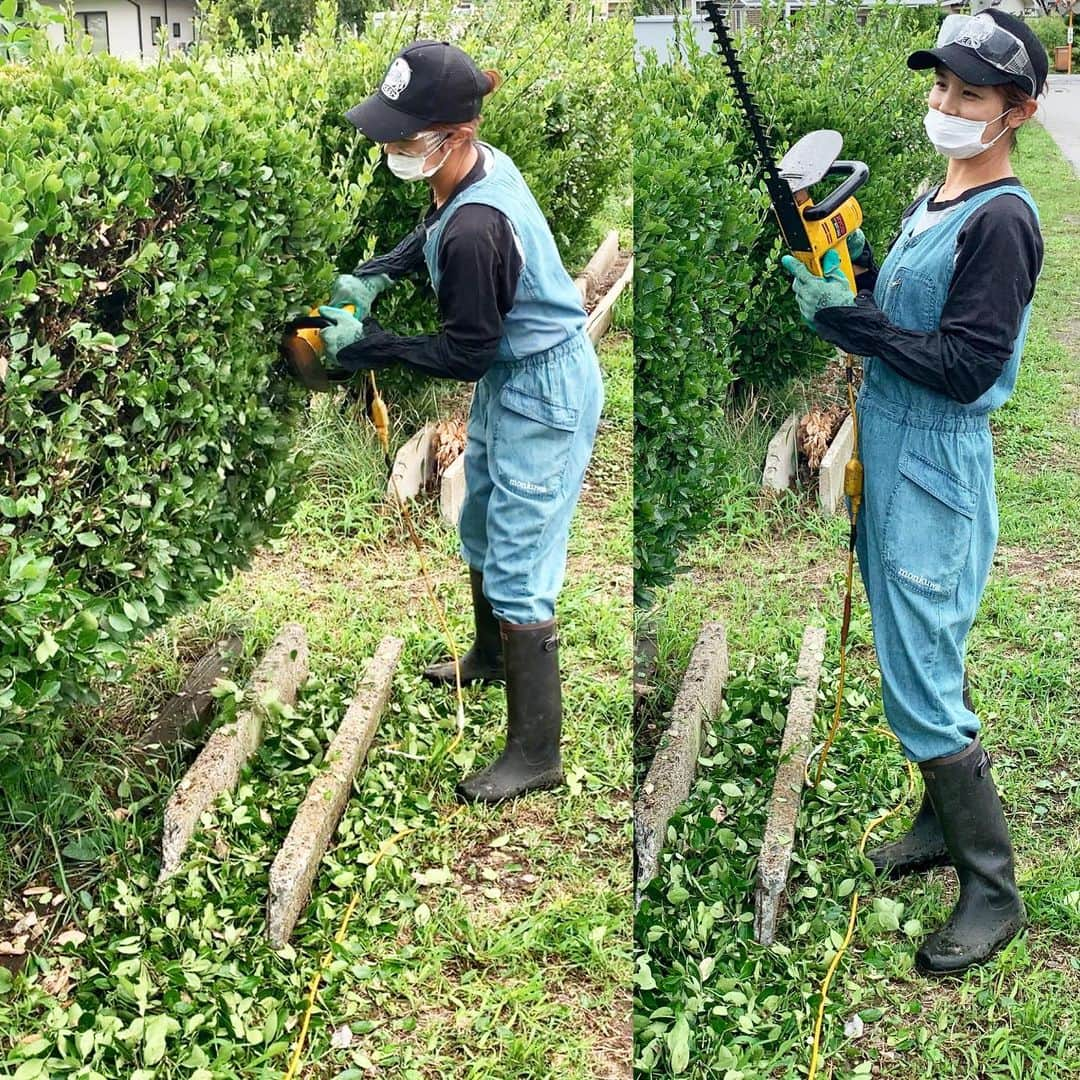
pixel 515 325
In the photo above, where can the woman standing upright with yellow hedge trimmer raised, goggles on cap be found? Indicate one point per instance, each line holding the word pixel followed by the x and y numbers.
pixel 942 327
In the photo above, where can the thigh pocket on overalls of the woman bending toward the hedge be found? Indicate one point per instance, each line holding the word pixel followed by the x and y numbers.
pixel 534 437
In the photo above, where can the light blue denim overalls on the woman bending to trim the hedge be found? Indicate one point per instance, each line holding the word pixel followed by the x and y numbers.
pixel 534 415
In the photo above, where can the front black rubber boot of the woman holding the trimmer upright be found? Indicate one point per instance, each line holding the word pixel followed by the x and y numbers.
pixel 990 912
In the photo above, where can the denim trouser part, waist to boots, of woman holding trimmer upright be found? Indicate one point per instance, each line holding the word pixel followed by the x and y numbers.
pixel 925 565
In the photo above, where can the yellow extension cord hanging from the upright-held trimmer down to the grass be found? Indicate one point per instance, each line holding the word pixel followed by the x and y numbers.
pixel 854 490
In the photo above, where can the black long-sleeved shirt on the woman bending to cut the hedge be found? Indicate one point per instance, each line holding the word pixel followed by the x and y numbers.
pixel 480 263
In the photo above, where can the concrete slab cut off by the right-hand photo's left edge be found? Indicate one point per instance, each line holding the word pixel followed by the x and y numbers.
pixel 671 776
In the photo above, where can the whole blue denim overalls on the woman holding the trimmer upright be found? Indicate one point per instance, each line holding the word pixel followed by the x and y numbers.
pixel 929 522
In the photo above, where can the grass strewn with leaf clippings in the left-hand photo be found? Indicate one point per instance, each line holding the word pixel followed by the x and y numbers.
pixel 491 942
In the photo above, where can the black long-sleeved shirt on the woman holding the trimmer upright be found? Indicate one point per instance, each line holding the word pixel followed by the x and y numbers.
pixel 998 259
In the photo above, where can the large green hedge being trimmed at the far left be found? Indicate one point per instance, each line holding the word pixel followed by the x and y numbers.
pixel 153 226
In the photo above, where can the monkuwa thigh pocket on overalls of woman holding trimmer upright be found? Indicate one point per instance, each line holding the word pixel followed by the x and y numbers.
pixel 928 528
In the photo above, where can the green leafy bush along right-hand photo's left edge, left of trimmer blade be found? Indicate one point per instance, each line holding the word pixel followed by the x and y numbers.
pixel 695 206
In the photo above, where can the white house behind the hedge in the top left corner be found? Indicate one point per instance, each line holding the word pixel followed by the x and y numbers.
pixel 131 29
